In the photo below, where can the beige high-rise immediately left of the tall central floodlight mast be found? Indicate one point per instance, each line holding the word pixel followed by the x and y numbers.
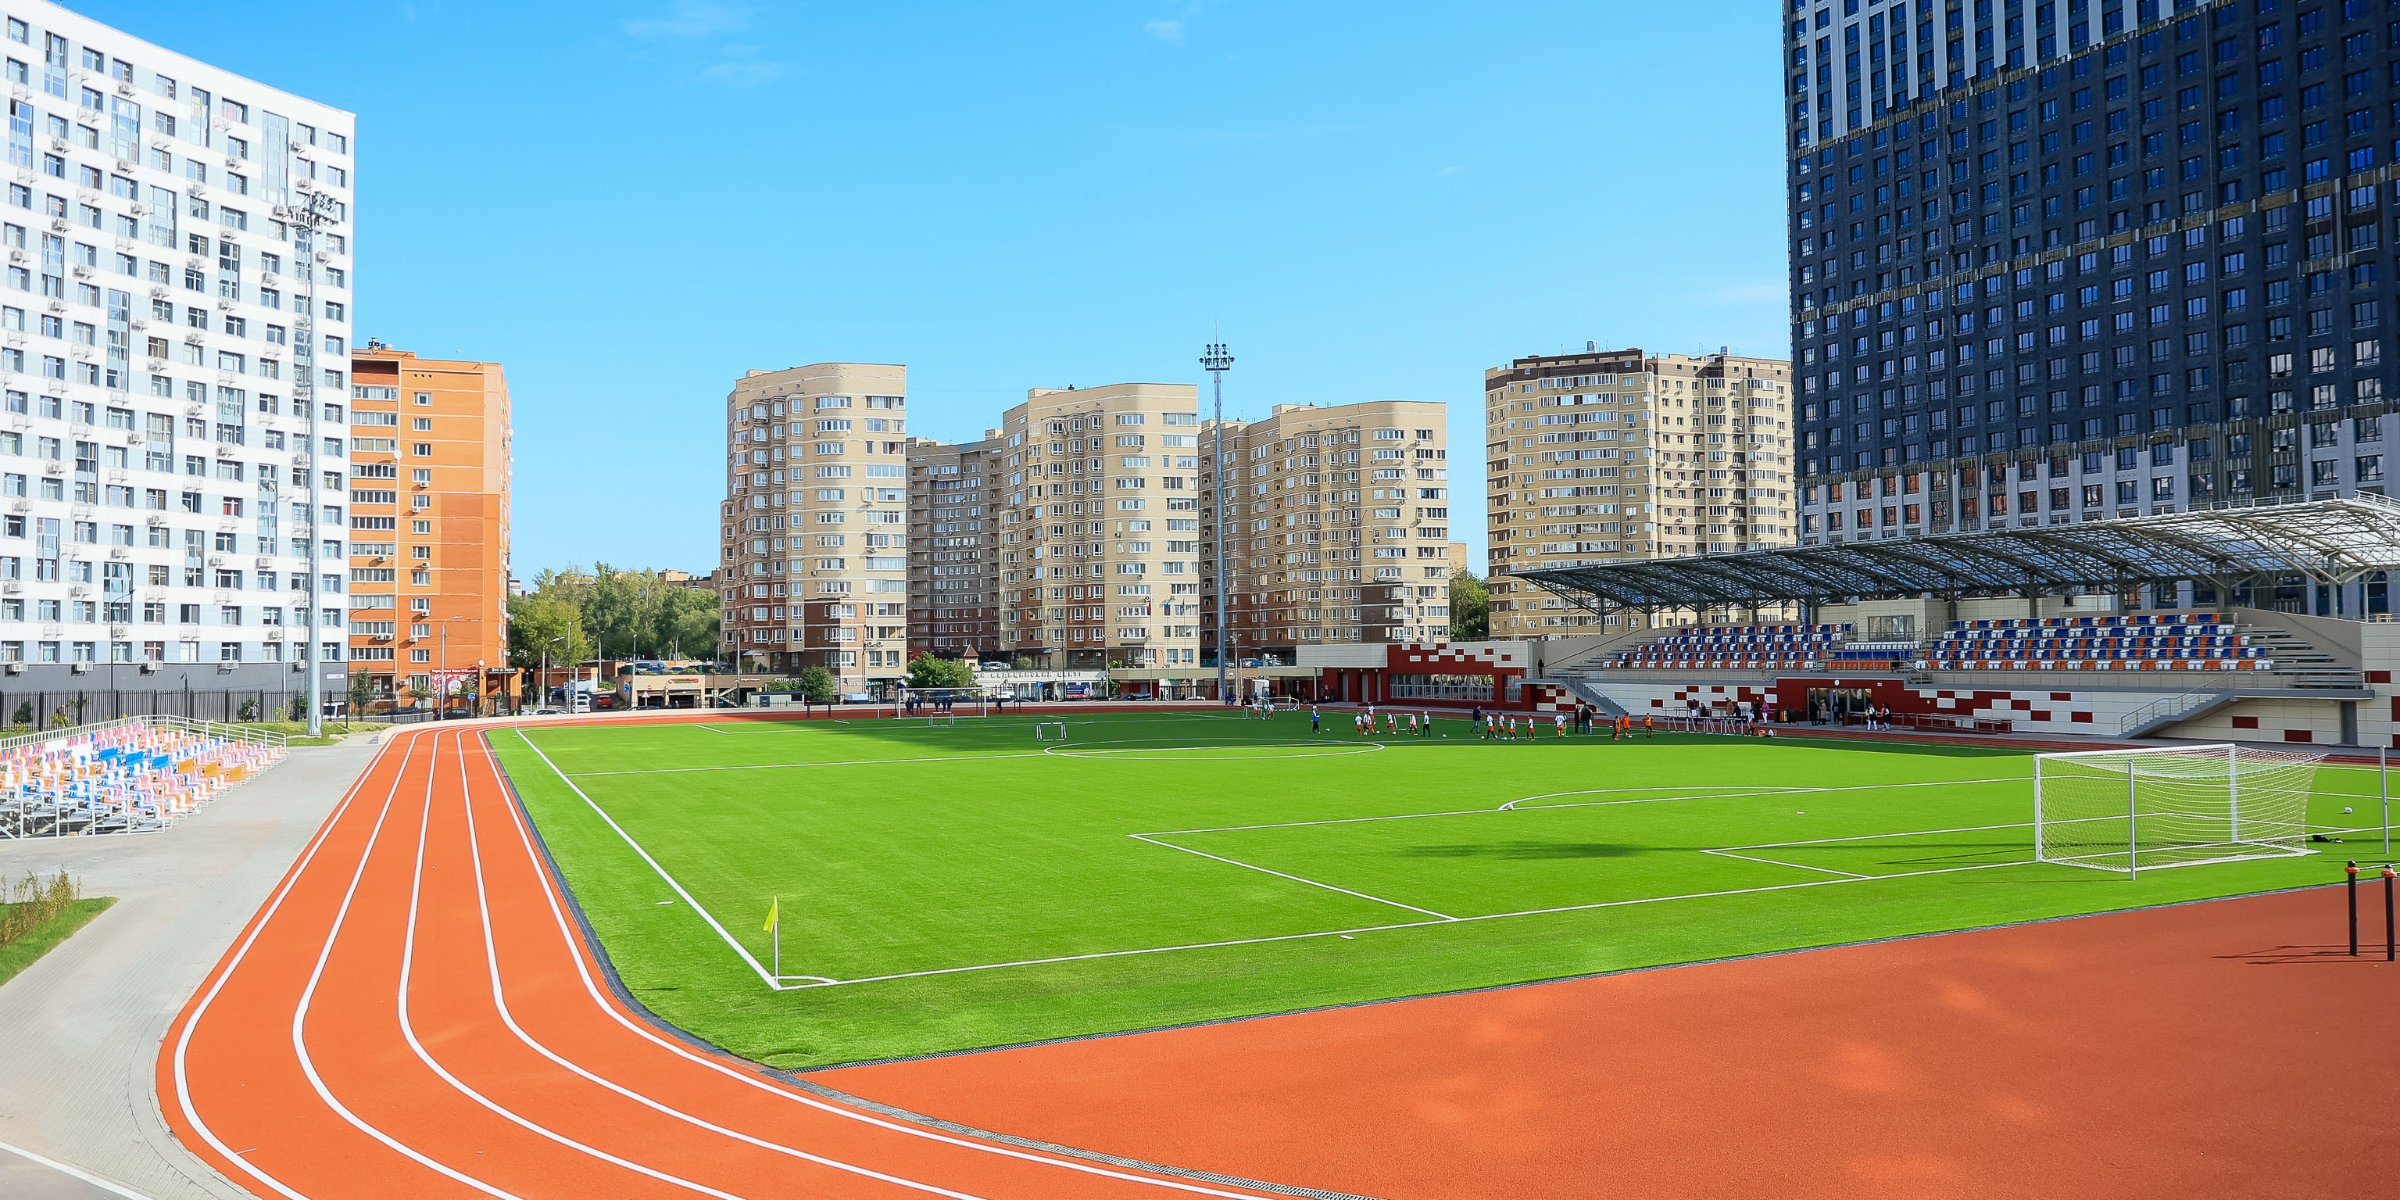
pixel 1100 527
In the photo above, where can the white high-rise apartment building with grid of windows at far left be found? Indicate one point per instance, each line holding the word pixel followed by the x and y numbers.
pixel 174 368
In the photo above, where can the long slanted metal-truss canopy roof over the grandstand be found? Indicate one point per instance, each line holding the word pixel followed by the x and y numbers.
pixel 2332 541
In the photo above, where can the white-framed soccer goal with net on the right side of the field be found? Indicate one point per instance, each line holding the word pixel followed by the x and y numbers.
pixel 2132 810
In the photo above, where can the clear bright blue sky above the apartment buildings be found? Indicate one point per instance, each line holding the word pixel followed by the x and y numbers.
pixel 635 203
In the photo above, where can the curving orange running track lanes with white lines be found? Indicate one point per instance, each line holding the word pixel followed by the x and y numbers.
pixel 412 1016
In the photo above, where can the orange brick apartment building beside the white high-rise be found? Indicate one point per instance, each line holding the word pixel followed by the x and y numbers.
pixel 428 527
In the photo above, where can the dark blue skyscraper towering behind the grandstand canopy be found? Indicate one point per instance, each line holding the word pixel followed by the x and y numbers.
pixel 2089 258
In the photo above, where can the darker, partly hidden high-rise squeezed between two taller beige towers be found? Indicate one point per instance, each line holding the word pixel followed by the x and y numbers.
pixel 954 558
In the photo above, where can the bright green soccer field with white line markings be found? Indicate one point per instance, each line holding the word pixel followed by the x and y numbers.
pixel 971 887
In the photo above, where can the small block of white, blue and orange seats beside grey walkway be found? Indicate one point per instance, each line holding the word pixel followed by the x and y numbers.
pixel 119 779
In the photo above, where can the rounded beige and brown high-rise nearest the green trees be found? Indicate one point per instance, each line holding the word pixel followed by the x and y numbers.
pixel 815 522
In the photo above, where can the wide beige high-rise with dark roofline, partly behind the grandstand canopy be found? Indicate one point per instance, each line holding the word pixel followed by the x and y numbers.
pixel 1626 455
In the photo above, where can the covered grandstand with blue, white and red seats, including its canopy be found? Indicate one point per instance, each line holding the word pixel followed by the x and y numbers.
pixel 2243 623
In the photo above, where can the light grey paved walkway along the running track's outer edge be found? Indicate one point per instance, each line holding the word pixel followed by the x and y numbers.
pixel 80 1028
